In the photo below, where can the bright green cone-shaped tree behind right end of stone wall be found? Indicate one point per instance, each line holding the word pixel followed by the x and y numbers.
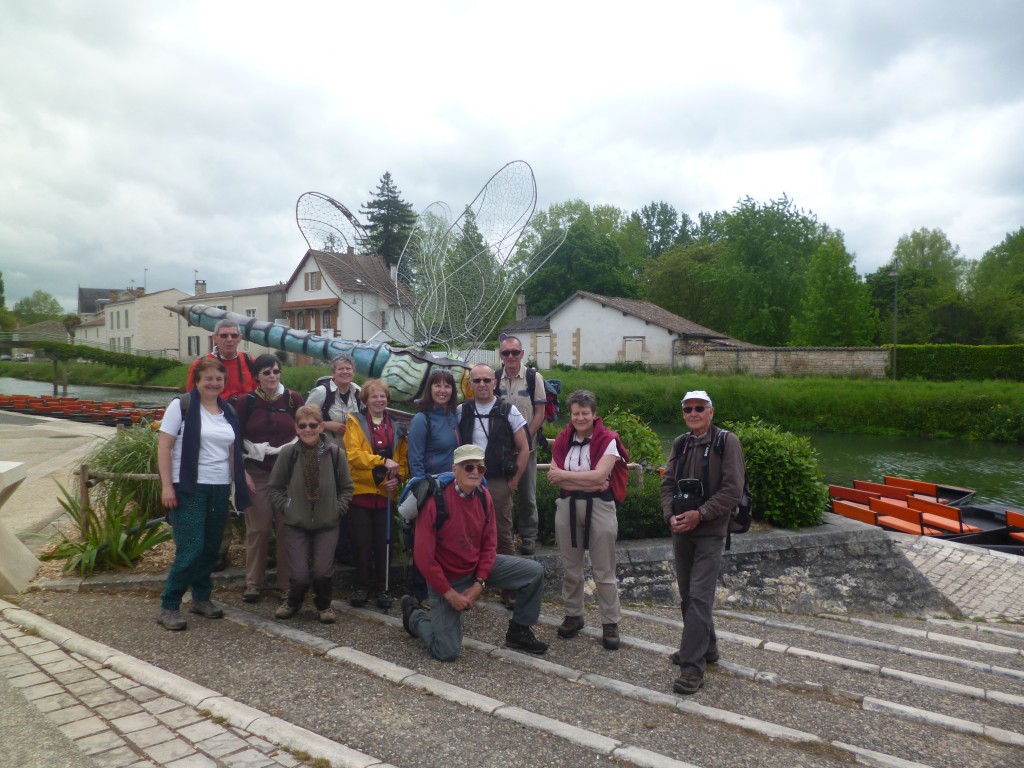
pixel 836 310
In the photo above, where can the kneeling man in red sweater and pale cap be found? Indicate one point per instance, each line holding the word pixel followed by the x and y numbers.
pixel 457 552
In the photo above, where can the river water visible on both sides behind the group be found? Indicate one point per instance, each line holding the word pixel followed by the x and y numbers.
pixel 994 470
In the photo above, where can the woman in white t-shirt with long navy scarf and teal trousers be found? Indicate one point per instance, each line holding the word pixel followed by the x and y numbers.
pixel 199 453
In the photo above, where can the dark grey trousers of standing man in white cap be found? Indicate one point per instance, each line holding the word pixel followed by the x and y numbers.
pixel 699 560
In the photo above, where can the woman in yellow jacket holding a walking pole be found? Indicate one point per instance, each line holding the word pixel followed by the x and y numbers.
pixel 377 447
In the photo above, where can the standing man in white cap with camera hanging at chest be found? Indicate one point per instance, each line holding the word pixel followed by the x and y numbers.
pixel 700 489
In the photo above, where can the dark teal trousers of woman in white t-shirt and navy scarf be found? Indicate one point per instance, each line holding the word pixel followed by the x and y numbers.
pixel 198 525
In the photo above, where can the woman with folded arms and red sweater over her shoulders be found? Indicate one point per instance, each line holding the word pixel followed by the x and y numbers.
pixel 582 460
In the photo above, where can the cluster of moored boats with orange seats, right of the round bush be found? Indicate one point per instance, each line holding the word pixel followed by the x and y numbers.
pixel 925 508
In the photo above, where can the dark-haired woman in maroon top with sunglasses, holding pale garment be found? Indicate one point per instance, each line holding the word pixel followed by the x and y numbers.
pixel 268 418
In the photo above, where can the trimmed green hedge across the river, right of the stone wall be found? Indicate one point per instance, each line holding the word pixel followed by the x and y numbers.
pixel 960 362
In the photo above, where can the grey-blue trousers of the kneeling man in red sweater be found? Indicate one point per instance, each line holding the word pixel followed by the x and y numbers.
pixel 441 628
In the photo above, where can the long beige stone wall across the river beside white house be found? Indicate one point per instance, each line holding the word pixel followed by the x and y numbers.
pixel 867 362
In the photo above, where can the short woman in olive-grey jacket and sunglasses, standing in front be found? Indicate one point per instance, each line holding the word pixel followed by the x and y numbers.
pixel 311 489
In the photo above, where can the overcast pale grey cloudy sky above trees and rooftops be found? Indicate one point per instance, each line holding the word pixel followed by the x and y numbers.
pixel 148 143
